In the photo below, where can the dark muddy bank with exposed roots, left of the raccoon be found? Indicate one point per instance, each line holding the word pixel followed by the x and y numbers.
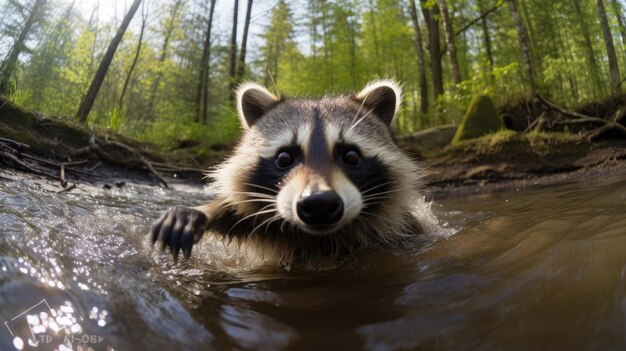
pixel 68 153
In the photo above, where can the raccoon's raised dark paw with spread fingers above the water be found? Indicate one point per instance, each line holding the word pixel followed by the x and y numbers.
pixel 179 228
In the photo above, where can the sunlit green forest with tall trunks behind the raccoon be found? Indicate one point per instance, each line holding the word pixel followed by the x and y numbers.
pixel 164 70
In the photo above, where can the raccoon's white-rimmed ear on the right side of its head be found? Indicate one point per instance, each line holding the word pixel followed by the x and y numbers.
pixel 383 96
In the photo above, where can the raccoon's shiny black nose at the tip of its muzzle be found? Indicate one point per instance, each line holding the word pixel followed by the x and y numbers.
pixel 320 208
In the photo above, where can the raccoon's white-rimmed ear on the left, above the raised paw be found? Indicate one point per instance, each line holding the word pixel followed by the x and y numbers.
pixel 253 101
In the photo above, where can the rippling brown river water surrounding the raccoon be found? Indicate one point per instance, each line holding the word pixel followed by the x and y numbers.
pixel 525 270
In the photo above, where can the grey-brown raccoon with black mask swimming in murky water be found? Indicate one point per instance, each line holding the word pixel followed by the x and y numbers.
pixel 308 179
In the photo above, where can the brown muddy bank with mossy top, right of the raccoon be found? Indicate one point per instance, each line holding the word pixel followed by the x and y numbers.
pixel 510 160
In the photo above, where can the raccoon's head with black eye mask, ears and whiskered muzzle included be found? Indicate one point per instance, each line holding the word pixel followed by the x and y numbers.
pixel 320 166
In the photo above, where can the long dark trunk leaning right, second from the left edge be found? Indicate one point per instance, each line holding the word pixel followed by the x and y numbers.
pixel 96 83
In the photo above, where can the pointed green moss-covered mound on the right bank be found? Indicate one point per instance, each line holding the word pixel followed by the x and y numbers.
pixel 480 119
